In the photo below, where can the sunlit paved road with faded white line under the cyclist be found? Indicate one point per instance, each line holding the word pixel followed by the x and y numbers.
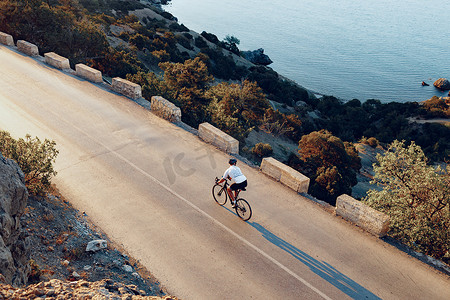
pixel 147 183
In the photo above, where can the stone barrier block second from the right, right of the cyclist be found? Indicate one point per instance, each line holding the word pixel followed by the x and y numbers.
pixel 285 174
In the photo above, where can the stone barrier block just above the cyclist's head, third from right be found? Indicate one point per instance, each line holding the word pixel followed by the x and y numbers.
pixel 218 138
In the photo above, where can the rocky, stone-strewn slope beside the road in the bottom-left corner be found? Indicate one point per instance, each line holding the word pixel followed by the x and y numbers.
pixel 47 248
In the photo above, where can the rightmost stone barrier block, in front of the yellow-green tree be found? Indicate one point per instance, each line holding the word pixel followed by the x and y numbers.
pixel 371 220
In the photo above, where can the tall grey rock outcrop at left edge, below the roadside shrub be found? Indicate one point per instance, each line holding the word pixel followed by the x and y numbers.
pixel 14 245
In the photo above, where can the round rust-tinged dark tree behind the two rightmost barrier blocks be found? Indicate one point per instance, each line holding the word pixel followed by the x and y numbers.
pixel 330 163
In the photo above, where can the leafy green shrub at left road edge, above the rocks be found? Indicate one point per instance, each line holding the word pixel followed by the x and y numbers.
pixel 34 157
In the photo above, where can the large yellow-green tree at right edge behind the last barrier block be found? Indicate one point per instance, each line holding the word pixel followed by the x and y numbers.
pixel 416 196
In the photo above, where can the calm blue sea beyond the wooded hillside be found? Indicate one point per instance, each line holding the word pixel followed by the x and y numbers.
pixel 372 49
